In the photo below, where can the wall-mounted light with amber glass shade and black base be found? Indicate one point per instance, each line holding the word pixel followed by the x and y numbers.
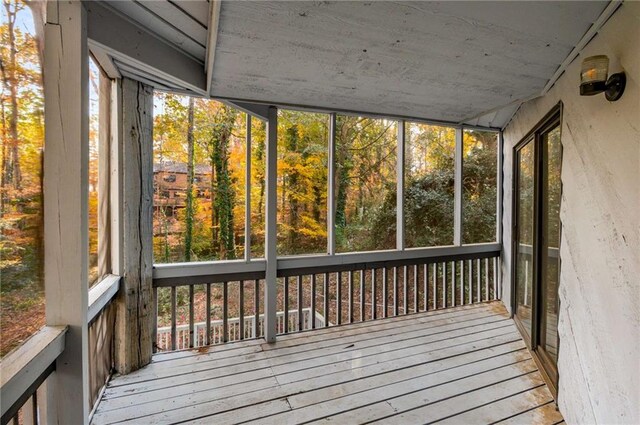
pixel 593 79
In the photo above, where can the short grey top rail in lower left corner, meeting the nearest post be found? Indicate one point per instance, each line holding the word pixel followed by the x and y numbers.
pixel 25 368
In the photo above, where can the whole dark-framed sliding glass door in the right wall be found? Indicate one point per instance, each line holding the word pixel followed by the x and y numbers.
pixel 537 228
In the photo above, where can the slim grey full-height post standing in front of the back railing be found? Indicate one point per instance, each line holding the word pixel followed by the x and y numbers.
pixel 270 254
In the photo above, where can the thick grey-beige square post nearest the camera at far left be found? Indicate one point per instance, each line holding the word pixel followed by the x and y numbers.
pixel 66 161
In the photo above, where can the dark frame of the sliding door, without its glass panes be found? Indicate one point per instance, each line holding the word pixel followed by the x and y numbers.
pixel 547 367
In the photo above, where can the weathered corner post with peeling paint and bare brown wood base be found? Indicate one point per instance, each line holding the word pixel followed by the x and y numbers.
pixel 135 307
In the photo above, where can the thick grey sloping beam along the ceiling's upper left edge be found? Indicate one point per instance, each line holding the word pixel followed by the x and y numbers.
pixel 127 43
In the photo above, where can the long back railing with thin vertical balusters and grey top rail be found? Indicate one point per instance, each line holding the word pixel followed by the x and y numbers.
pixel 198 307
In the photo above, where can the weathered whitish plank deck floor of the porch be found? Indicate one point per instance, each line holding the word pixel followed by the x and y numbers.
pixel 464 365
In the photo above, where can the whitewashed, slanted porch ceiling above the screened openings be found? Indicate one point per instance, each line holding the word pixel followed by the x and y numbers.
pixel 449 61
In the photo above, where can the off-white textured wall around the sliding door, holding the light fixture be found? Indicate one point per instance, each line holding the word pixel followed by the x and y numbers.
pixel 599 324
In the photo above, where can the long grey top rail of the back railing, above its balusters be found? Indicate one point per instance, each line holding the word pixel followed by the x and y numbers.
pixel 235 270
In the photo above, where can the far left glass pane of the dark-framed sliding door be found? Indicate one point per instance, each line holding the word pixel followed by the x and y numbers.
pixel 524 236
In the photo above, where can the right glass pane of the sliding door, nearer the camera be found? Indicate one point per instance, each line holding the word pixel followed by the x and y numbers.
pixel 550 273
